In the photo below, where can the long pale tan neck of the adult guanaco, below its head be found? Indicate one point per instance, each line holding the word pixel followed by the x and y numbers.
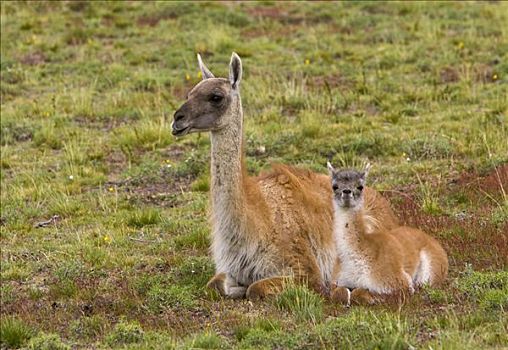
pixel 227 168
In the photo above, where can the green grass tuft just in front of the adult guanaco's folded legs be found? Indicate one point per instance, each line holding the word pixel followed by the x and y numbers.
pixel 301 302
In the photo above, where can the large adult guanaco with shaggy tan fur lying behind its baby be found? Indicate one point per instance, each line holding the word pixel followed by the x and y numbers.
pixel 265 229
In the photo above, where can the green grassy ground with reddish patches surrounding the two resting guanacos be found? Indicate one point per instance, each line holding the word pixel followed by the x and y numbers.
pixel 88 92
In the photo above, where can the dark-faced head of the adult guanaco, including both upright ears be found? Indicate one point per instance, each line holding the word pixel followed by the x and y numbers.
pixel 209 104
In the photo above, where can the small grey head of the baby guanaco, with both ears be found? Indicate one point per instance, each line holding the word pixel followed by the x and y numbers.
pixel 347 186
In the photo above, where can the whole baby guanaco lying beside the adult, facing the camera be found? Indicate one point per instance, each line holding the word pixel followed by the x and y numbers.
pixel 372 261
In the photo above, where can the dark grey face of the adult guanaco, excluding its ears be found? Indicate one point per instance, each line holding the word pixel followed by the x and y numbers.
pixel 206 103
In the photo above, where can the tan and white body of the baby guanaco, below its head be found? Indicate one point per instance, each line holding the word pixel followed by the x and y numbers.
pixel 390 260
